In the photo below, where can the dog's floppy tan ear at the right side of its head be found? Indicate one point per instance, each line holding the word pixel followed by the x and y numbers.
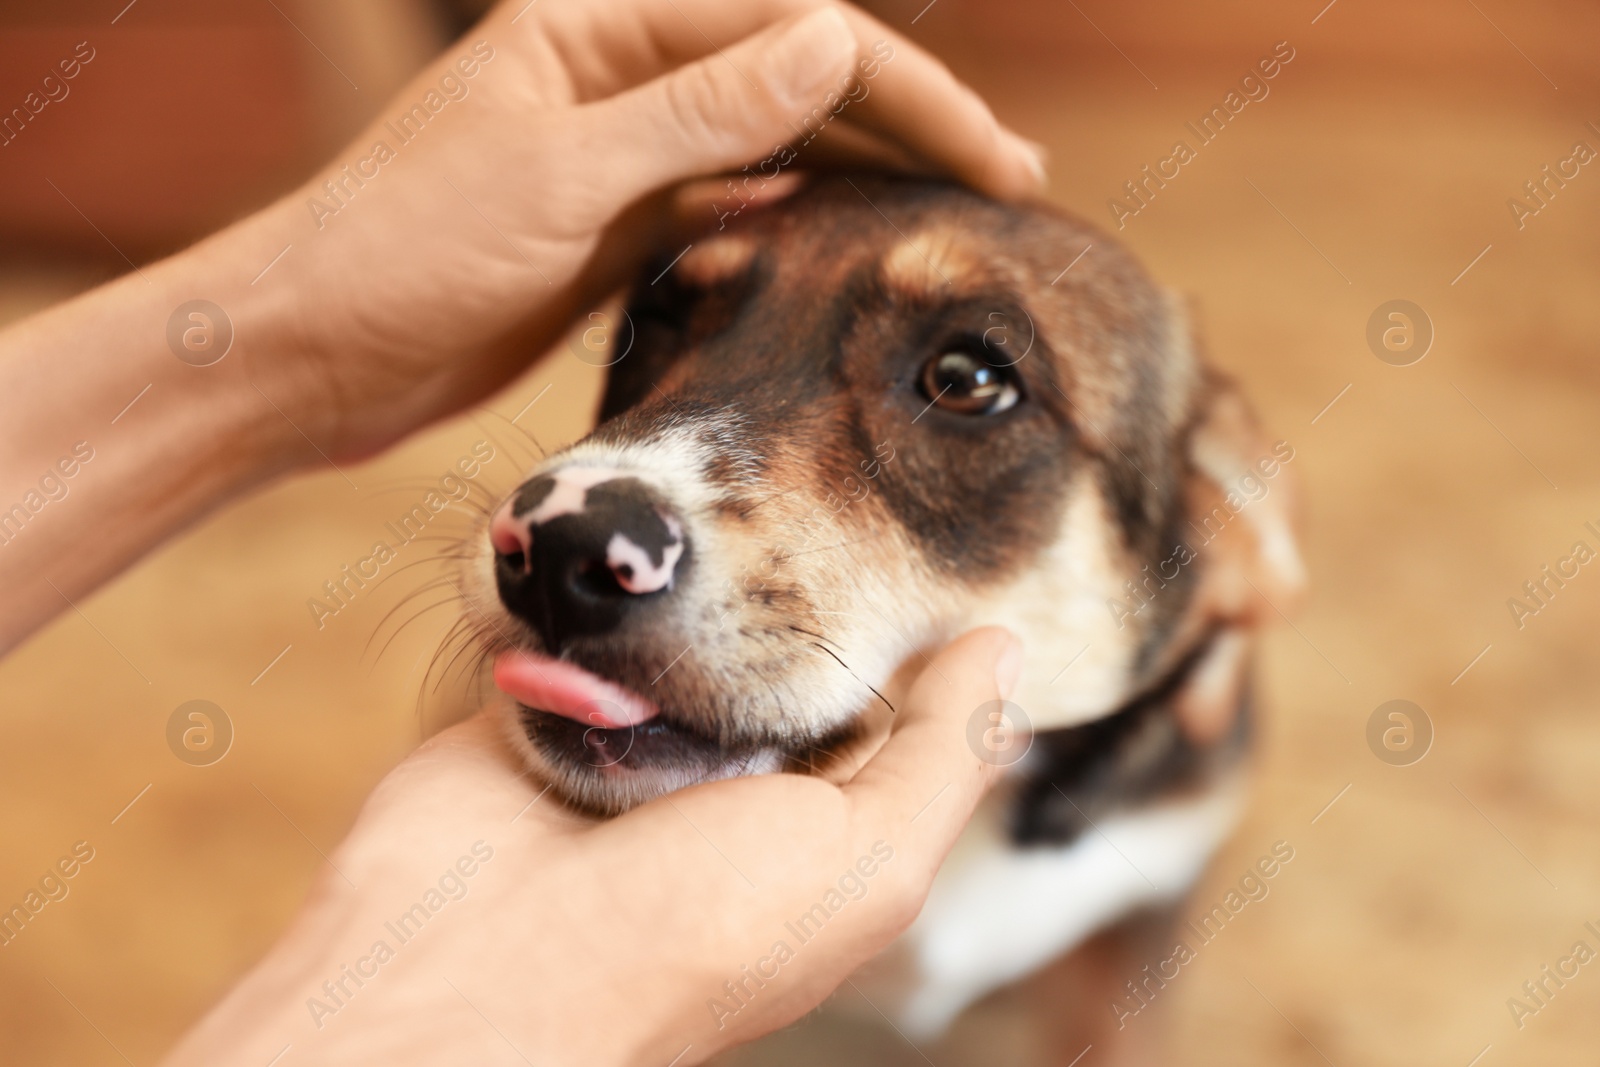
pixel 1241 508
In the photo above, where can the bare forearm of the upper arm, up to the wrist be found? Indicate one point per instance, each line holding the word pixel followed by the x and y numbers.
pixel 110 442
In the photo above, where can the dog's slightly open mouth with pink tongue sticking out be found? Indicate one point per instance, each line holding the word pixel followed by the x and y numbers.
pixel 590 725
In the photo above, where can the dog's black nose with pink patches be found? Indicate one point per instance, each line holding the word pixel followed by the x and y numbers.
pixel 580 551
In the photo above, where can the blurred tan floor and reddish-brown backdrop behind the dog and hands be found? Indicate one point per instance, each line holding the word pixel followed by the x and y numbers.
pixel 1423 893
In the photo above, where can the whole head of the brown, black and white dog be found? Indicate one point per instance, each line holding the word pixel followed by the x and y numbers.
pixel 841 433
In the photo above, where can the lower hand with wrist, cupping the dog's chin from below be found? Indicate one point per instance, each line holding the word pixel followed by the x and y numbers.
pixel 556 940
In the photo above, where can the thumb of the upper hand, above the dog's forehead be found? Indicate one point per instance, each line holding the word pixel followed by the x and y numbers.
pixel 726 110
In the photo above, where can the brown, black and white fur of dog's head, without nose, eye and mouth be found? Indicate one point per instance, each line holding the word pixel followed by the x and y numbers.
pixel 842 521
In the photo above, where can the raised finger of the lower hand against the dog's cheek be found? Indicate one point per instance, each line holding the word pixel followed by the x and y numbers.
pixel 922 786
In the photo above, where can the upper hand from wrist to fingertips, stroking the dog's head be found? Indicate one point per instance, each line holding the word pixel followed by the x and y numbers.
pixel 428 271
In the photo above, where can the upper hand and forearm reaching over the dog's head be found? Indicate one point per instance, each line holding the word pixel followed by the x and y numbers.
pixel 511 186
